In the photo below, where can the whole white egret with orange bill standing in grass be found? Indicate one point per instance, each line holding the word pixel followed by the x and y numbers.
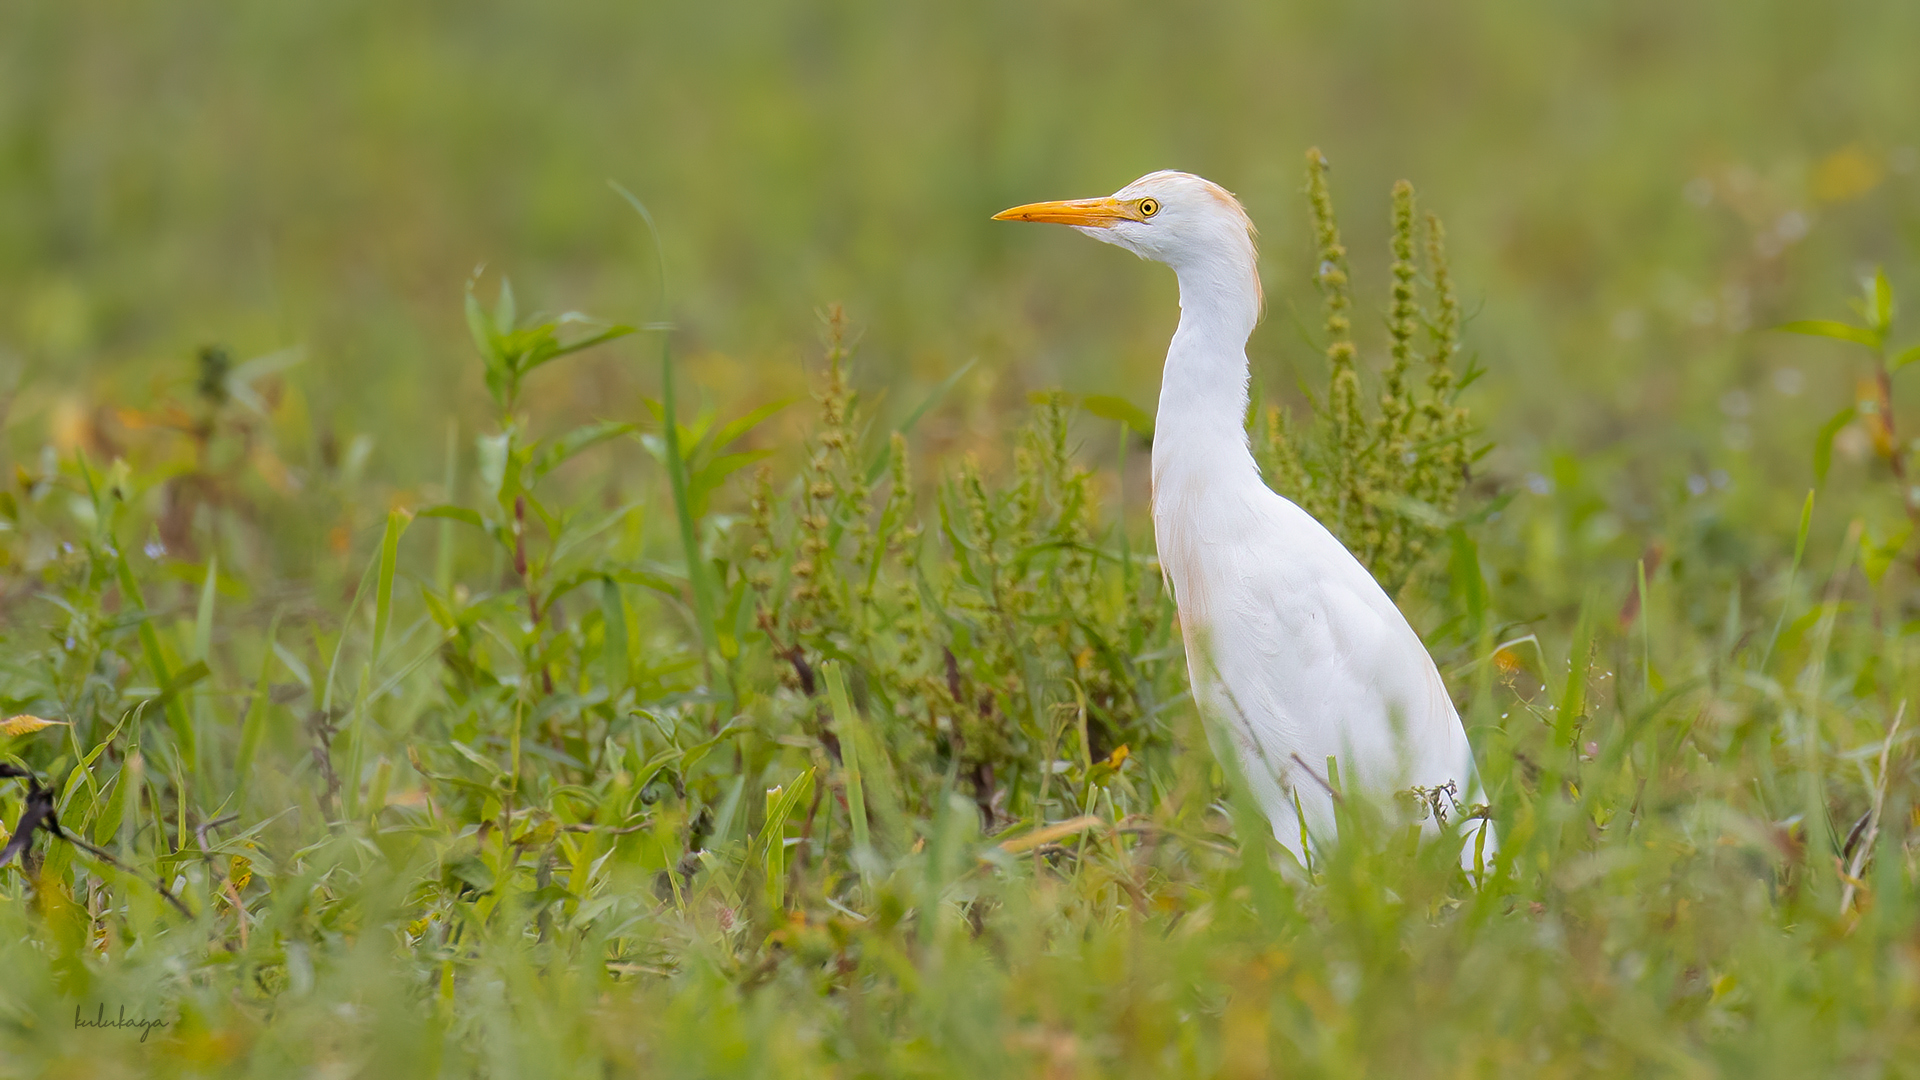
pixel 1291 645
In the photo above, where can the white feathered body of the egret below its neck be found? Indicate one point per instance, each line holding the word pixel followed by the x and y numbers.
pixel 1303 656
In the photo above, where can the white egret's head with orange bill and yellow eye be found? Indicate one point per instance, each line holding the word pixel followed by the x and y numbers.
pixel 1170 218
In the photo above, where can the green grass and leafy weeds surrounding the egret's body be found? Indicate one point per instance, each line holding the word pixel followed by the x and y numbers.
pixel 888 770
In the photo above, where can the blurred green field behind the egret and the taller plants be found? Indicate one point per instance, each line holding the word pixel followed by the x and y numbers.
pixel 1633 191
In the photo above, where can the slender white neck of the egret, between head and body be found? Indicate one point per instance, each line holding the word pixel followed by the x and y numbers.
pixel 1201 430
